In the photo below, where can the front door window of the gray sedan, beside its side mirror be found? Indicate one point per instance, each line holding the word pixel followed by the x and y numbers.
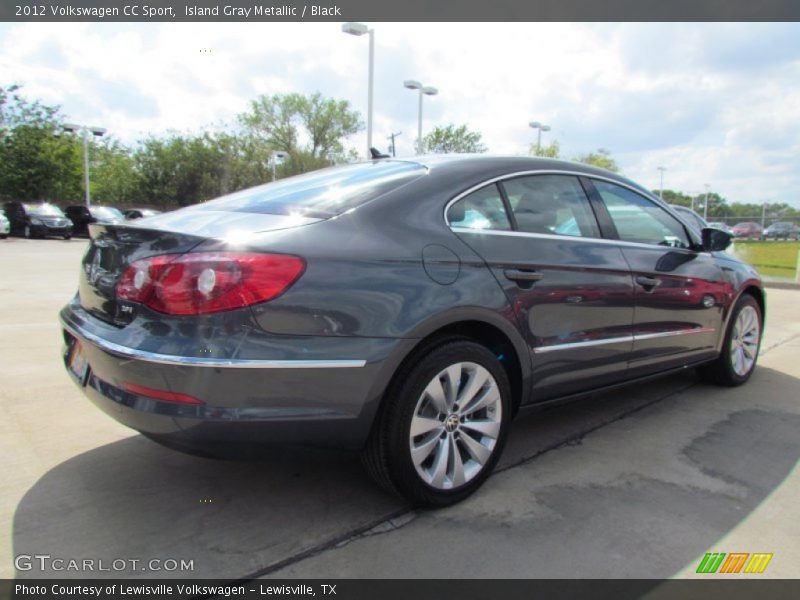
pixel 640 220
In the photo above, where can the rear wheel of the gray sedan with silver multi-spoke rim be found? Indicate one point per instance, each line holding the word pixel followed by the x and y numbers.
pixel 456 447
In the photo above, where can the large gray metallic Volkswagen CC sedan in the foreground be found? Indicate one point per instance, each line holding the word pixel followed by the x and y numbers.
pixel 404 308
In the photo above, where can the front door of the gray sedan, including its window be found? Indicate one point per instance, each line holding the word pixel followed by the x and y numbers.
pixel 680 290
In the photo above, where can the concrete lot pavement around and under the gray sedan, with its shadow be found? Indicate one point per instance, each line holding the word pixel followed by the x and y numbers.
pixel 636 483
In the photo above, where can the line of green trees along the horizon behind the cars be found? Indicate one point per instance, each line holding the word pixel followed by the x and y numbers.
pixel 39 160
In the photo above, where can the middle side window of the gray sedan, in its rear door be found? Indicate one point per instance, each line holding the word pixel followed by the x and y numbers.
pixel 552 204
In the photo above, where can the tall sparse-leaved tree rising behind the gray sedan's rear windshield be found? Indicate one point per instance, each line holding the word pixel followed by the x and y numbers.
pixel 310 128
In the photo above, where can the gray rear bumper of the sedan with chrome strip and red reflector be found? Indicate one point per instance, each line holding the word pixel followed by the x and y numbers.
pixel 291 399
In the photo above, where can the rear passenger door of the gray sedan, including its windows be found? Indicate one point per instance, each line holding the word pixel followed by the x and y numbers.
pixel 572 292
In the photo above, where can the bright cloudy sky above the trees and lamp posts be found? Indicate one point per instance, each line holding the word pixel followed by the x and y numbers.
pixel 713 103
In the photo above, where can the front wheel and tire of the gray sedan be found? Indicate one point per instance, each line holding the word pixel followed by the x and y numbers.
pixel 739 355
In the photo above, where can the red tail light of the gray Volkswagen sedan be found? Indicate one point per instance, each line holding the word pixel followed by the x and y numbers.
pixel 208 282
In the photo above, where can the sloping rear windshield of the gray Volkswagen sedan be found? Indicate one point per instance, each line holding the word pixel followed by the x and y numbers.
pixel 321 194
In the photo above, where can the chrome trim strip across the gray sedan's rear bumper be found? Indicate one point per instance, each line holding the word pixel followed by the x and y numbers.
pixel 190 361
